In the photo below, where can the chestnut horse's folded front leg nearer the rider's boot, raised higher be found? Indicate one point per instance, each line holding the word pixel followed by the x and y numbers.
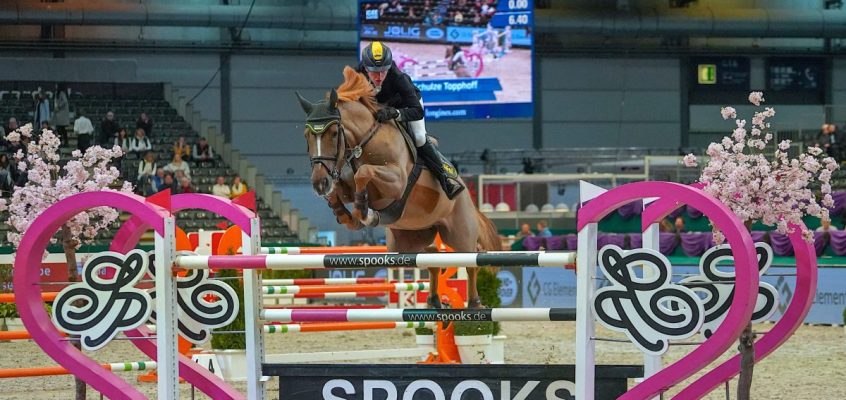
pixel 388 180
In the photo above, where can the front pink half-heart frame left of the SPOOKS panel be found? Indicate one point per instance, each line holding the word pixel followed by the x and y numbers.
pixel 28 297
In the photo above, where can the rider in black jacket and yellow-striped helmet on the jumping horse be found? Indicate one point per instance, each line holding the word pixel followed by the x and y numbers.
pixel 402 102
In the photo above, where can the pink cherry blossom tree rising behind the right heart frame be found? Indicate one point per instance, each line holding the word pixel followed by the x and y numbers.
pixel 761 182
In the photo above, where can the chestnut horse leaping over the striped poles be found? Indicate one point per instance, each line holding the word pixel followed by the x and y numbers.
pixel 355 159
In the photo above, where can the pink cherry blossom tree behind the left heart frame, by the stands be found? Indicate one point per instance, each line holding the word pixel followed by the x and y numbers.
pixel 48 182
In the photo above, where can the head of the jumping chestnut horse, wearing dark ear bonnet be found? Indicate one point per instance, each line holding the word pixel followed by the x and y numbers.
pixel 324 135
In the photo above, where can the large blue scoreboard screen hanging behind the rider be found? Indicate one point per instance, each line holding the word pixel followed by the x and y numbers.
pixel 470 60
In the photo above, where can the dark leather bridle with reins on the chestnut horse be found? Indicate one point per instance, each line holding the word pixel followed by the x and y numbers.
pixel 344 153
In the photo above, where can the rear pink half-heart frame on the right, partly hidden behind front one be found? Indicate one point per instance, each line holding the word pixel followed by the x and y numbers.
pixel 800 303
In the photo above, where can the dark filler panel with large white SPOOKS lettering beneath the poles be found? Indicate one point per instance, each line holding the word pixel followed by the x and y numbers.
pixel 429 382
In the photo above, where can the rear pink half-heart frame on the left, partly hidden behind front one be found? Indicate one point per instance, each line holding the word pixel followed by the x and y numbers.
pixel 127 237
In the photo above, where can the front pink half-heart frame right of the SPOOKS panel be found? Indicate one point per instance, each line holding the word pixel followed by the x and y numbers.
pixel 743 250
